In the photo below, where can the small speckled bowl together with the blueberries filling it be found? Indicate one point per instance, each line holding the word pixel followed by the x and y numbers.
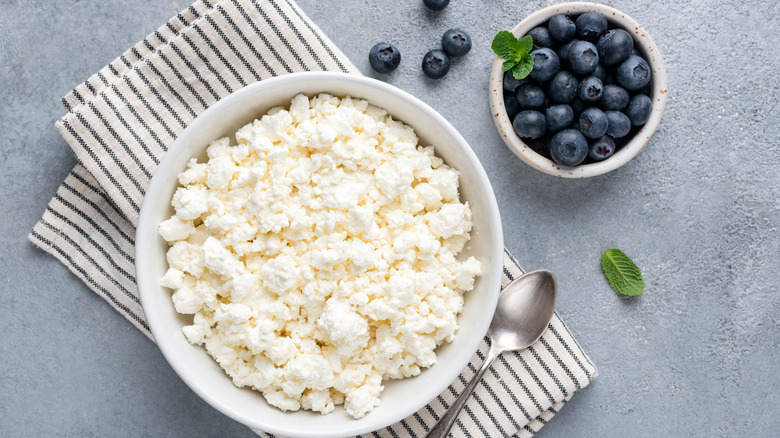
pixel 608 86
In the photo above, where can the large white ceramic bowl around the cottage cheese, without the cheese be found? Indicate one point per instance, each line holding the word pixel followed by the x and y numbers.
pixel 201 373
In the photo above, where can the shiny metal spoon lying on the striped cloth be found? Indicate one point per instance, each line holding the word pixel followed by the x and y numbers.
pixel 524 309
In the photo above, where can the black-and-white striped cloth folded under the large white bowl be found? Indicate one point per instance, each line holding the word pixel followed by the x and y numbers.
pixel 119 123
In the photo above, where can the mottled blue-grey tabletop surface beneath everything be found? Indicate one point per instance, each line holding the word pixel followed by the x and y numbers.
pixel 698 210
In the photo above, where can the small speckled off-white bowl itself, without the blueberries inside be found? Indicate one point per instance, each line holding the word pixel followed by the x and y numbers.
pixel 642 42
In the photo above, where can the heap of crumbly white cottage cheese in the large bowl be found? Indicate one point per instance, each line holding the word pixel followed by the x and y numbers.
pixel 318 254
